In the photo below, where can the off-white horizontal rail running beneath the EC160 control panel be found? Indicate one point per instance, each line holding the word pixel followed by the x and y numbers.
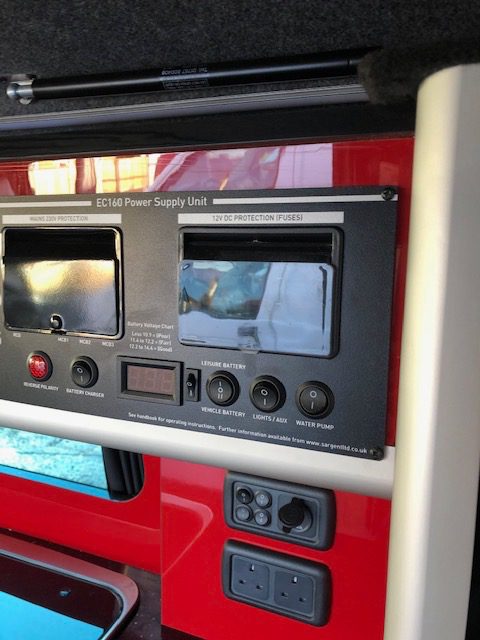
pixel 304 466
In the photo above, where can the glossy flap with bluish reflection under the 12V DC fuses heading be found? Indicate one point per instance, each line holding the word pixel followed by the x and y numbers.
pixel 280 307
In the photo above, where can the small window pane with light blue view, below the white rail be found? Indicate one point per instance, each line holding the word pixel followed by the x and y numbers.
pixel 66 463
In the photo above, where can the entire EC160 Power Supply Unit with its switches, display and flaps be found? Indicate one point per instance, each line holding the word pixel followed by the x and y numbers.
pixel 253 315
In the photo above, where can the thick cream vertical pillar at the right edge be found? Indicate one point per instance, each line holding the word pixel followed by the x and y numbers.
pixel 438 436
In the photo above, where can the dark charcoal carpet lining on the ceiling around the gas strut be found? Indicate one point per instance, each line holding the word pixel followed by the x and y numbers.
pixel 56 38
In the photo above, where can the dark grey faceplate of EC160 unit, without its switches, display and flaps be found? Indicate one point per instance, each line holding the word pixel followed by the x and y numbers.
pixel 149 225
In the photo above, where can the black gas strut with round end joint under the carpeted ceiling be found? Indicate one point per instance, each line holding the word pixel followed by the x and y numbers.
pixel 305 67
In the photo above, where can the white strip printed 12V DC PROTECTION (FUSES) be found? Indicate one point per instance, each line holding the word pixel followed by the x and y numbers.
pixel 264 217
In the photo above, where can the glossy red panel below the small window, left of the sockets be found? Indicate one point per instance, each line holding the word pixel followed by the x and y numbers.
pixel 127 532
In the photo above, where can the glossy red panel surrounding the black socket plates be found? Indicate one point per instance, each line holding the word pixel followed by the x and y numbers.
pixel 192 597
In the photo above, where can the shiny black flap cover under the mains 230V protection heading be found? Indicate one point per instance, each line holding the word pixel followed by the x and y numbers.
pixel 62 279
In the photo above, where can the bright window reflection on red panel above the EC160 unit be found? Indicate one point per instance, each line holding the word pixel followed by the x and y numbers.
pixel 253 168
